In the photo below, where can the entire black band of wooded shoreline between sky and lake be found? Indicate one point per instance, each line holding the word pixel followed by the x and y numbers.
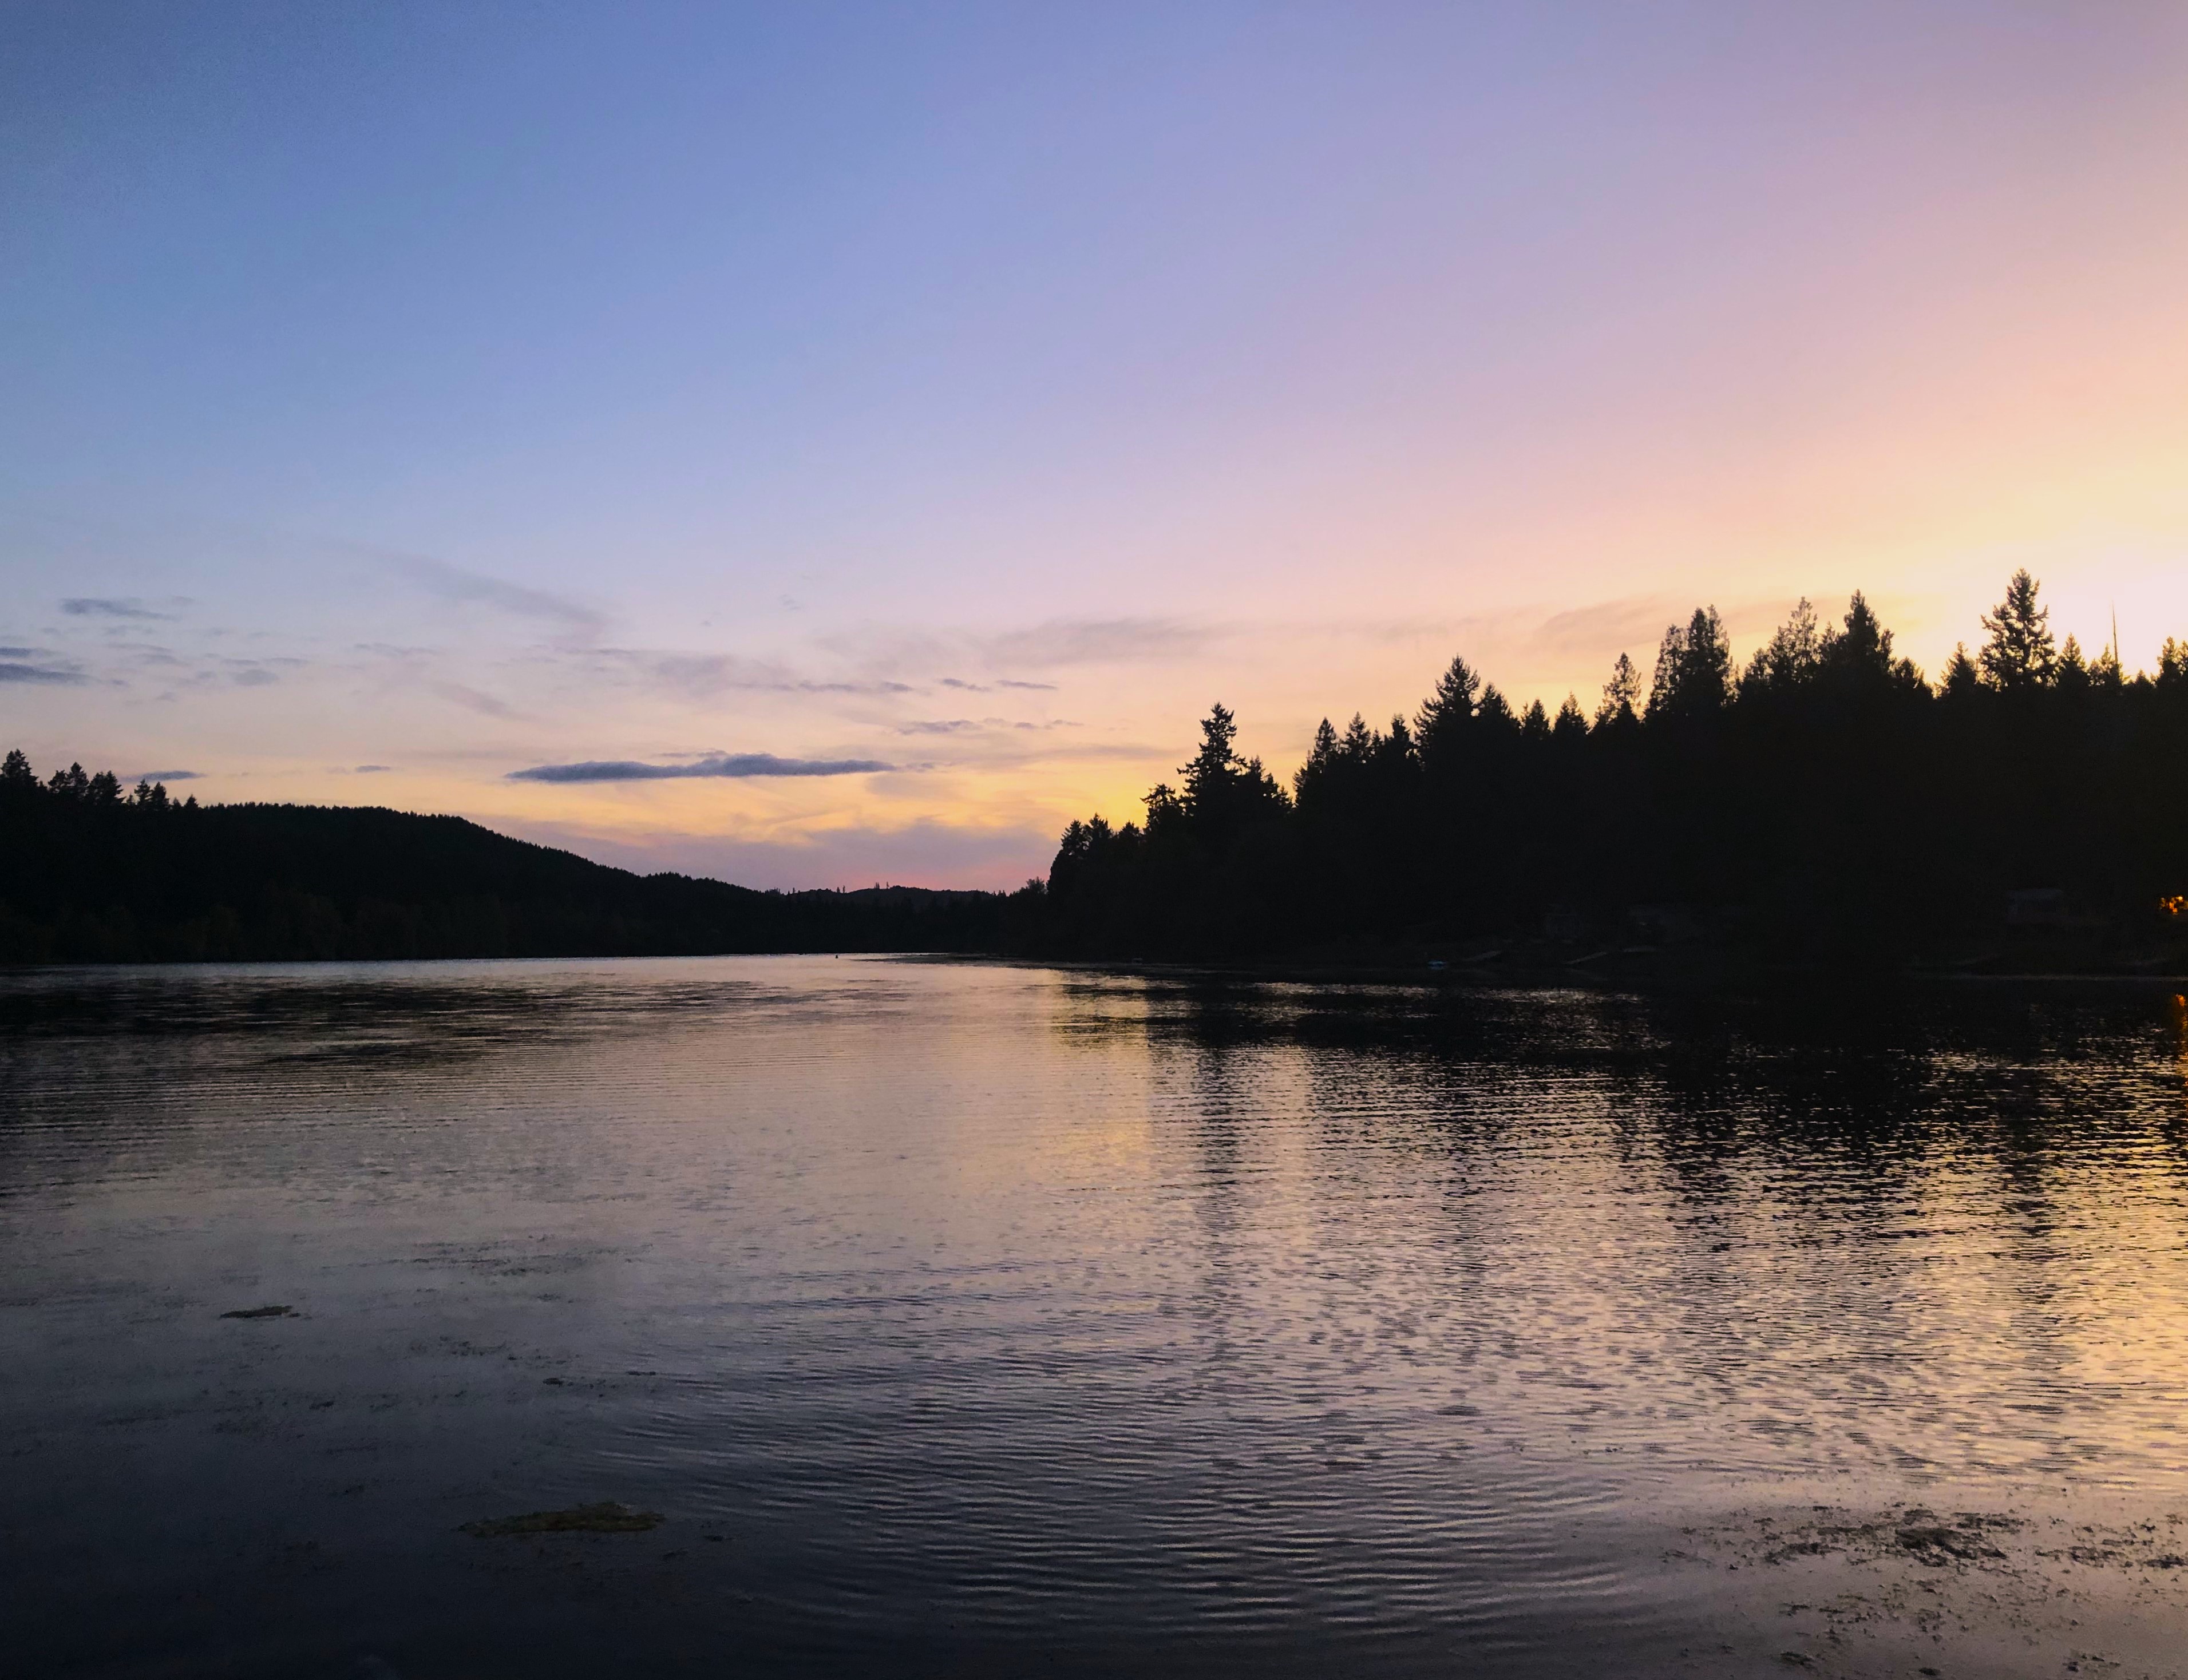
pixel 1822 804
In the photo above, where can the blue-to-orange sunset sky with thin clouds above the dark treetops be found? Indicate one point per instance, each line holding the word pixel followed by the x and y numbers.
pixel 946 404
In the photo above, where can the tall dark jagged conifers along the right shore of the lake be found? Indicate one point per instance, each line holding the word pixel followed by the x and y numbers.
pixel 1819 802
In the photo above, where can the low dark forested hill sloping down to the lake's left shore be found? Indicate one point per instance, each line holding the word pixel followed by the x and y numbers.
pixel 93 874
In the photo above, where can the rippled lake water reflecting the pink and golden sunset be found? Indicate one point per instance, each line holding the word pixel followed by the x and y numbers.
pixel 981 1320
